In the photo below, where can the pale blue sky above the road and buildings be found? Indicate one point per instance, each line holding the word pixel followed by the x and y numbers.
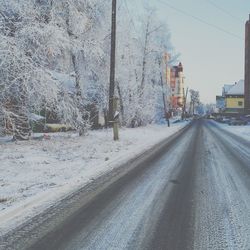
pixel 210 57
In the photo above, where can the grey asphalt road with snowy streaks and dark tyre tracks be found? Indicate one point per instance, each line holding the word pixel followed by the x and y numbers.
pixel 196 195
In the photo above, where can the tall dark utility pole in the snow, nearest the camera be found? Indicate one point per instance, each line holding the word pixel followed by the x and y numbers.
pixel 111 113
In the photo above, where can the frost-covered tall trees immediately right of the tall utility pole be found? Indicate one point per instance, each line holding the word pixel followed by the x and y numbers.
pixel 140 70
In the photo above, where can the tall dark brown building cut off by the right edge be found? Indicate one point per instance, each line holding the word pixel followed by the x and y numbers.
pixel 247 67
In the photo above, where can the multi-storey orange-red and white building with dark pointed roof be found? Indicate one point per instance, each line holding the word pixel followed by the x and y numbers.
pixel 177 87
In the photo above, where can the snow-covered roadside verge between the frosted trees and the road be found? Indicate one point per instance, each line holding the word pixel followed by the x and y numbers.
pixel 35 174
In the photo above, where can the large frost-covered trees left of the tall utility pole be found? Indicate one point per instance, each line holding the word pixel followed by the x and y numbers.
pixel 49 49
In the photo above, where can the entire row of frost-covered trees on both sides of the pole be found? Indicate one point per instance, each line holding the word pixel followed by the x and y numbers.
pixel 54 59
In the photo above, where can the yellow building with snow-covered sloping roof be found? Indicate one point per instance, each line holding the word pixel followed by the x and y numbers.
pixel 234 98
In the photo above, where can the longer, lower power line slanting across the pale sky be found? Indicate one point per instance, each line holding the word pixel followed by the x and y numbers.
pixel 201 20
